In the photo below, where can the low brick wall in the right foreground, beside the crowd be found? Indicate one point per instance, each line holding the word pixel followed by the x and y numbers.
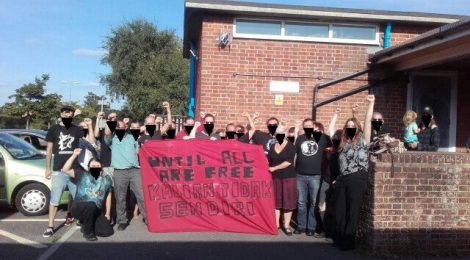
pixel 421 208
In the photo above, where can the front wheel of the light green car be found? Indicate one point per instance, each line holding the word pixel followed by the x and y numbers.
pixel 33 200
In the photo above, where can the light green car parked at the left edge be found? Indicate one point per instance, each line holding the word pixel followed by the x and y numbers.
pixel 22 181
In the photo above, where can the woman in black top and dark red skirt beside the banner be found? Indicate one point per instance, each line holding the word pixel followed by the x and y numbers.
pixel 281 164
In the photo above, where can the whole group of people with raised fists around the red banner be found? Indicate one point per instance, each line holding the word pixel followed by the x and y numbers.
pixel 321 174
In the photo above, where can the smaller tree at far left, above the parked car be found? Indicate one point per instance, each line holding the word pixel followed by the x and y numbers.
pixel 31 103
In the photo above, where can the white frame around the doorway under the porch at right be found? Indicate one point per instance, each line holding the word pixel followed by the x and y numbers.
pixel 453 99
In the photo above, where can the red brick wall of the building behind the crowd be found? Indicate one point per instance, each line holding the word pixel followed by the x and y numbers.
pixel 223 90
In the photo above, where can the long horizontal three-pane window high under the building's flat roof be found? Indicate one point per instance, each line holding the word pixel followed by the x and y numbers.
pixel 305 31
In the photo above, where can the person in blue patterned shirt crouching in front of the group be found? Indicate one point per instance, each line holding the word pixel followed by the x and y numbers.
pixel 92 188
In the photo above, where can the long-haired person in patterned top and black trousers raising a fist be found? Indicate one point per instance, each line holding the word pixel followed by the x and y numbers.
pixel 351 185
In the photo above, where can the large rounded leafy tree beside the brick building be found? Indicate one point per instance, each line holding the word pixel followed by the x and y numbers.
pixel 147 68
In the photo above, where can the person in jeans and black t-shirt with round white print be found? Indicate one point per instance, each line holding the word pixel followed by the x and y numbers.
pixel 310 147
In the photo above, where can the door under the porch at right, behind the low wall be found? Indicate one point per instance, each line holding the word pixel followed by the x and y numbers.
pixel 439 91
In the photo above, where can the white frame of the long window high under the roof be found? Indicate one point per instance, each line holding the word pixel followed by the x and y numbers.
pixel 283 37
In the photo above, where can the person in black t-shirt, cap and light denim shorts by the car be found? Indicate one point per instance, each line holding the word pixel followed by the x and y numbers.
pixel 61 139
